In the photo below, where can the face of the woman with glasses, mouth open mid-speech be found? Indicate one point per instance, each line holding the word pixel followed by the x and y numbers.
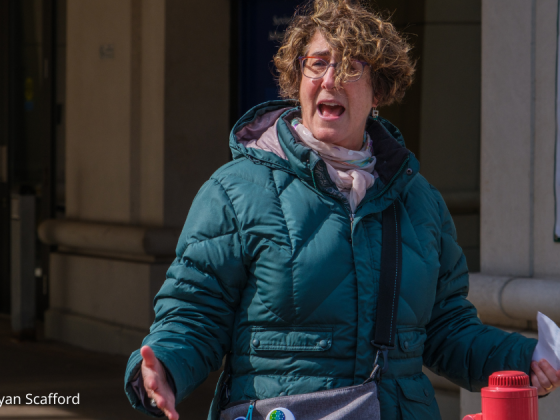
pixel 335 116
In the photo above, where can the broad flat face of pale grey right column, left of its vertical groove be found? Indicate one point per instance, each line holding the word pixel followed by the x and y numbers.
pixel 508 137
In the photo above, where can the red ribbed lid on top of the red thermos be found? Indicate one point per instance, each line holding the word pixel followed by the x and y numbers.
pixel 509 384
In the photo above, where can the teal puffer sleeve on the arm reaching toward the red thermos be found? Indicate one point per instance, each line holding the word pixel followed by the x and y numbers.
pixel 459 347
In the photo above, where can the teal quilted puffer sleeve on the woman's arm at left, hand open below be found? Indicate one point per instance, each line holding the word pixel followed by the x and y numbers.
pixel 196 305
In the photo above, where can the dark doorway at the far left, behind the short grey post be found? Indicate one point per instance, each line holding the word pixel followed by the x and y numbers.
pixel 28 125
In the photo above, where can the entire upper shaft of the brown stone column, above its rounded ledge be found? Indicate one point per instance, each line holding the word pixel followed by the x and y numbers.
pixel 139 122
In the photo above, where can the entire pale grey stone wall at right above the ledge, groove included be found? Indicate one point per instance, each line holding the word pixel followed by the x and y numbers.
pixel 518 137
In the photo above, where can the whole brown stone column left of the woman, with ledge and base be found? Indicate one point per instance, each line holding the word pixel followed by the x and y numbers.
pixel 146 124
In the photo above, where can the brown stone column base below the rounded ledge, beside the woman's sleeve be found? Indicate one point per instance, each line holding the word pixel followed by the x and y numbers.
pixel 101 304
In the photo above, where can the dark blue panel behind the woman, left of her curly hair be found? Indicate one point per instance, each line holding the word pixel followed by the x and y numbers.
pixel 261 28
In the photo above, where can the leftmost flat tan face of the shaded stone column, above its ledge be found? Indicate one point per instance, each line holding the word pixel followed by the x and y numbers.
pixel 98 111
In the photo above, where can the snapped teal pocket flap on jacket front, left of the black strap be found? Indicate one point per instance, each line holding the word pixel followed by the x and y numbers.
pixel 291 339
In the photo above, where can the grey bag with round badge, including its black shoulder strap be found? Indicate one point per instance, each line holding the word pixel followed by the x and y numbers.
pixel 353 402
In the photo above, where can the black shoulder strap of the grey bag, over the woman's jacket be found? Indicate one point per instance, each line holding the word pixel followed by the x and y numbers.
pixel 389 282
